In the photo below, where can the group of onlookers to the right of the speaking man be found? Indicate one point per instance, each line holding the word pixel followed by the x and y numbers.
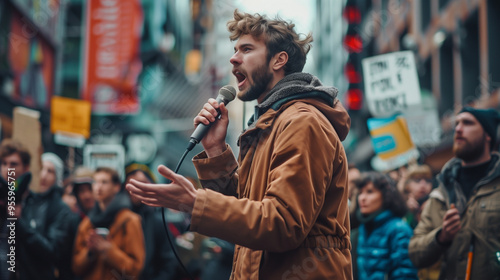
pixel 419 226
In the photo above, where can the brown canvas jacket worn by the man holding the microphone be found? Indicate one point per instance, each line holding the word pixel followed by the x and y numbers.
pixel 284 203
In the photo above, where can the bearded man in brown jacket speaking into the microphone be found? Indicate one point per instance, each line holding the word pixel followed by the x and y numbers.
pixel 284 201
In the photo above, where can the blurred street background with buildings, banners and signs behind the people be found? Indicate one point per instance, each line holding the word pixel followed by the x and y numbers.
pixel 104 82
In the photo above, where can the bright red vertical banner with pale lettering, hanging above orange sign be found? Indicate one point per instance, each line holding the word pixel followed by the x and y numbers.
pixel 112 63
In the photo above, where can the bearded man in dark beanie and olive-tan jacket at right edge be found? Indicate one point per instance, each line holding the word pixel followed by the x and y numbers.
pixel 463 215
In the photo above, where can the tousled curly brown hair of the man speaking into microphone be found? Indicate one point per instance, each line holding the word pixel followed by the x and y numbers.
pixel 277 34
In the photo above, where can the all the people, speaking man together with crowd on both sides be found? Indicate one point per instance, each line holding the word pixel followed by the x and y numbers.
pixel 290 206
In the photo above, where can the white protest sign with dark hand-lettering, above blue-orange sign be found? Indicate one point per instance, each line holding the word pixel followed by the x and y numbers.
pixel 391 83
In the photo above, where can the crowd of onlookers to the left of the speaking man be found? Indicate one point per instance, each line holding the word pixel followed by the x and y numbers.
pixel 90 228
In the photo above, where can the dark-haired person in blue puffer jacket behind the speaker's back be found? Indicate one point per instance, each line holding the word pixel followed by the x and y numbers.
pixel 380 244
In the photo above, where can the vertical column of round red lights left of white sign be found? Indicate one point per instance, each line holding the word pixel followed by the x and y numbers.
pixel 353 44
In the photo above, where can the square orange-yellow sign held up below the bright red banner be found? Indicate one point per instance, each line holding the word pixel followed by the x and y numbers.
pixel 70 115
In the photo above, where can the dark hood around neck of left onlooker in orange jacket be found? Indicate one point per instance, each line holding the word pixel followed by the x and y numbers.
pixel 98 218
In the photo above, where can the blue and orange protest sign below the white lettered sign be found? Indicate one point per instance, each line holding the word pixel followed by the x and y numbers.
pixel 392 143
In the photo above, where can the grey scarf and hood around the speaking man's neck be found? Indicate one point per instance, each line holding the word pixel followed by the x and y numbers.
pixel 308 89
